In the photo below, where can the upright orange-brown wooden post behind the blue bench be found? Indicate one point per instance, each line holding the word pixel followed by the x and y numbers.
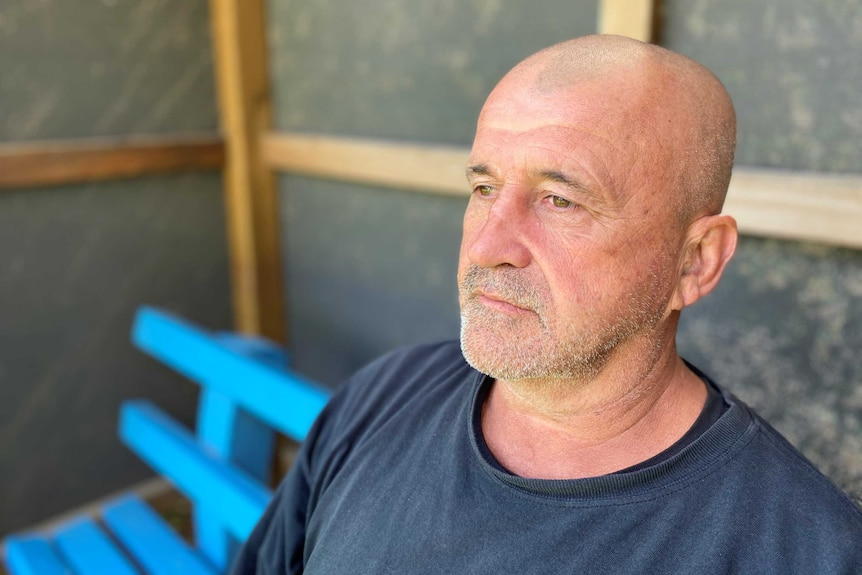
pixel 239 33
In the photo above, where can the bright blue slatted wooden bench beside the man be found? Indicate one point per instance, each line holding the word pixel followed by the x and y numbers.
pixel 247 396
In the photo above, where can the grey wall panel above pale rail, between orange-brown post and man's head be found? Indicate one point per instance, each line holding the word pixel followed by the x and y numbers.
pixel 405 69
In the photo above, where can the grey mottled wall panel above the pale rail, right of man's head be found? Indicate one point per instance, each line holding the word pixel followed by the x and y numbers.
pixel 793 69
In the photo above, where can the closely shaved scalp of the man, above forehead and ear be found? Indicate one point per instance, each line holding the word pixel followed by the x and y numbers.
pixel 673 107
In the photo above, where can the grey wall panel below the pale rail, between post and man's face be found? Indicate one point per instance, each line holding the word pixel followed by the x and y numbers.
pixel 368 270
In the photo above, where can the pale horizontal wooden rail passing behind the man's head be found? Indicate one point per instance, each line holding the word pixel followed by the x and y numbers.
pixel 791 205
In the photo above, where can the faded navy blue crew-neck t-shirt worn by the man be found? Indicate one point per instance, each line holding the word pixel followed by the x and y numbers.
pixel 395 477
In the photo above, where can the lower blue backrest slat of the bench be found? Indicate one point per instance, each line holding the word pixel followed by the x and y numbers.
pixel 174 453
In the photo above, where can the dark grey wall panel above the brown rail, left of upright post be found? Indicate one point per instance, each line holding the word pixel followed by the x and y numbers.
pixel 81 69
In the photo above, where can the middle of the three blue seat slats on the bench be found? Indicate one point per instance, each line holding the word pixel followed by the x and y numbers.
pixel 90 551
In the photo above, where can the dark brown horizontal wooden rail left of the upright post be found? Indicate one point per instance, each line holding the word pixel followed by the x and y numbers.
pixel 52 163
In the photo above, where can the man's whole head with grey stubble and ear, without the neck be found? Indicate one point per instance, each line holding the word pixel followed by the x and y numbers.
pixel 597 173
